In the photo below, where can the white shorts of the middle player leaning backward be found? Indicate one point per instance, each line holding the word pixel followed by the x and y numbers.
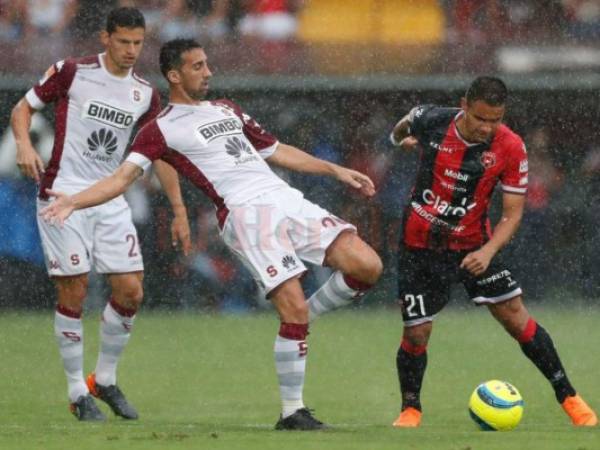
pixel 274 232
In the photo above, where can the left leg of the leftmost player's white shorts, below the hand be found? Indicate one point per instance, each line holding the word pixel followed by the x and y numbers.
pixel 66 248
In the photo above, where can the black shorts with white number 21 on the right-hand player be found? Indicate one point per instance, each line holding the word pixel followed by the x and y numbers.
pixel 425 277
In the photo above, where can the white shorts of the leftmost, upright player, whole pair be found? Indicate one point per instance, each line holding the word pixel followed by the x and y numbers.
pixel 103 235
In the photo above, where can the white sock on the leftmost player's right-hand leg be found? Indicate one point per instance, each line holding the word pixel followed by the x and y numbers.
pixel 115 331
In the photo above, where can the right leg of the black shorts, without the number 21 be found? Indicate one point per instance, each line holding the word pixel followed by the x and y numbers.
pixel 496 285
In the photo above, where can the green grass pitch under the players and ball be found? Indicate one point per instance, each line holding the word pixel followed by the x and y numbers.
pixel 205 381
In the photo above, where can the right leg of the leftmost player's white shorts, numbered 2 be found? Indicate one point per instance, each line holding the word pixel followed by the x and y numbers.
pixel 116 244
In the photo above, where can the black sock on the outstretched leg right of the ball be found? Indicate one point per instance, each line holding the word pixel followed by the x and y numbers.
pixel 540 350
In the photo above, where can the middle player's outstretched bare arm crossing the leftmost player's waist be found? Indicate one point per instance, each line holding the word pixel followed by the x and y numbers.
pixel 104 190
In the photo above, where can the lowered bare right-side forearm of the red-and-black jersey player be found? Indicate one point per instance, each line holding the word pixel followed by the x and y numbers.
pixel 512 211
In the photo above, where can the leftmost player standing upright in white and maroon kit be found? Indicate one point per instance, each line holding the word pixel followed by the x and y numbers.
pixel 98 101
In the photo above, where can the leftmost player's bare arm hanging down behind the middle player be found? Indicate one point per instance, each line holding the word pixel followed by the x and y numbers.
pixel 180 227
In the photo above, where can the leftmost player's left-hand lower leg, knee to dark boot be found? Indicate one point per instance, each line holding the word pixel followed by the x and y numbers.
pixel 68 331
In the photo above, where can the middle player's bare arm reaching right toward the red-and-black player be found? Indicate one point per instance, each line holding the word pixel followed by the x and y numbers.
pixel 295 159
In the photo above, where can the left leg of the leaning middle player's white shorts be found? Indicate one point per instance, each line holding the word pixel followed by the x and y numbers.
pixel 262 244
